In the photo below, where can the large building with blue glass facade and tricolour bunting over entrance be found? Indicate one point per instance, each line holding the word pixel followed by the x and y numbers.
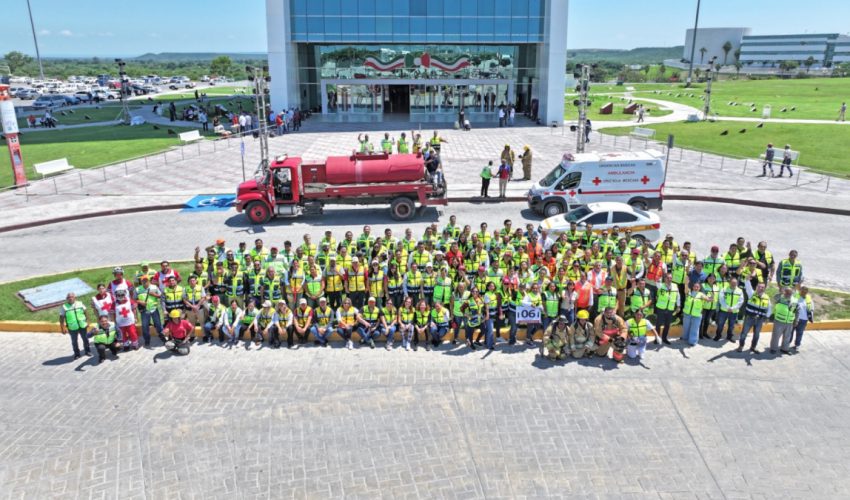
pixel 429 57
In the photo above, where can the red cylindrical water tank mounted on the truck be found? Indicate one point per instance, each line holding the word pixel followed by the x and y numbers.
pixel 362 169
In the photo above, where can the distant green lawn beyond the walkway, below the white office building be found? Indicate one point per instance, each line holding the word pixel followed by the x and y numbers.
pixel 815 98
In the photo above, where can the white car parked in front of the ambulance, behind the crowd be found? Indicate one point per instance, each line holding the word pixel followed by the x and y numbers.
pixel 605 215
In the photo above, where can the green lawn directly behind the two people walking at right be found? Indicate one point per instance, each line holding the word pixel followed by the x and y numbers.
pixel 822 147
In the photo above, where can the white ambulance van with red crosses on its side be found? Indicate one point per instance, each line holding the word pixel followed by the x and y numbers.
pixel 636 178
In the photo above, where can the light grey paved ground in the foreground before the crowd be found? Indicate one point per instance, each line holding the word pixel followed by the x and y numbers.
pixel 705 422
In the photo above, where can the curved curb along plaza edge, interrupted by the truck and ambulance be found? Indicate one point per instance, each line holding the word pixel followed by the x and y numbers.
pixel 470 199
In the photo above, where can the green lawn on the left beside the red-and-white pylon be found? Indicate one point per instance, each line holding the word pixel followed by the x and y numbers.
pixel 88 147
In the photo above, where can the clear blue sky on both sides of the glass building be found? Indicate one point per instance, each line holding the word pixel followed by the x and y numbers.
pixel 114 28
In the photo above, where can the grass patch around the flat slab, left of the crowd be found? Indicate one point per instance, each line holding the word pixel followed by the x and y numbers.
pixel 13 308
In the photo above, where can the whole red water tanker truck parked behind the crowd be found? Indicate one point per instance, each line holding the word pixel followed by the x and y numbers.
pixel 290 187
